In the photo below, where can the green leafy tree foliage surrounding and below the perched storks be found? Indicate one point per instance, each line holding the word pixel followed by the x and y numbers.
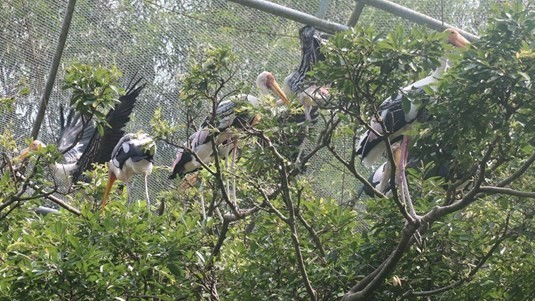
pixel 278 240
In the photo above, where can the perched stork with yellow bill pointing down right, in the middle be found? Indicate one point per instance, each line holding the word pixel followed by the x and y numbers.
pixel 227 116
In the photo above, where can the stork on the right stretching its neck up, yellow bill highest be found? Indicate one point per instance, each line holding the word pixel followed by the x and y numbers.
pixel 371 147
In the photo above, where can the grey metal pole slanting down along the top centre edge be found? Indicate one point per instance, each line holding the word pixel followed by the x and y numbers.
pixel 292 14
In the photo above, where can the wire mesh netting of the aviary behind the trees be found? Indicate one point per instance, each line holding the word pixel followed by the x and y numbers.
pixel 157 39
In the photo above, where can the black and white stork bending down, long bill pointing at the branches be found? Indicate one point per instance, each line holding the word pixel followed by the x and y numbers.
pixel 133 154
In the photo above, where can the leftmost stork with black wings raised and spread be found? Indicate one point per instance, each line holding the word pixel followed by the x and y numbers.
pixel 82 145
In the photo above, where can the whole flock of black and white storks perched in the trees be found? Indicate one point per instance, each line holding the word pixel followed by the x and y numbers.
pixel 129 154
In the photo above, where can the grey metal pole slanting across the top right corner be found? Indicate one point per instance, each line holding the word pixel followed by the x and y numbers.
pixel 415 17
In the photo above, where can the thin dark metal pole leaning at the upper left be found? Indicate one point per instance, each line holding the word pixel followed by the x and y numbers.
pixel 54 68
